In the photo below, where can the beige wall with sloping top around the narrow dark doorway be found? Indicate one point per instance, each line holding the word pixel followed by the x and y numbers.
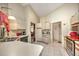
pixel 30 17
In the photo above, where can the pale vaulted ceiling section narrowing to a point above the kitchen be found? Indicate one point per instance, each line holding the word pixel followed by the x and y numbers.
pixel 43 9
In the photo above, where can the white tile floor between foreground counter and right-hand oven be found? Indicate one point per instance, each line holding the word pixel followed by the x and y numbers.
pixel 54 49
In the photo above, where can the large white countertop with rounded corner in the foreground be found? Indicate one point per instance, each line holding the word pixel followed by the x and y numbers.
pixel 17 48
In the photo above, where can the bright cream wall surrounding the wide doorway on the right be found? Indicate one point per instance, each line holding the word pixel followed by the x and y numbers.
pixel 63 14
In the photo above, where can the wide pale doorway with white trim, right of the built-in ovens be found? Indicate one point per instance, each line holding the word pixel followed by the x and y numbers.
pixel 57 36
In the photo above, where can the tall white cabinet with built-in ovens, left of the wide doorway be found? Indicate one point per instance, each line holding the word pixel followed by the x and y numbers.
pixel 45 25
